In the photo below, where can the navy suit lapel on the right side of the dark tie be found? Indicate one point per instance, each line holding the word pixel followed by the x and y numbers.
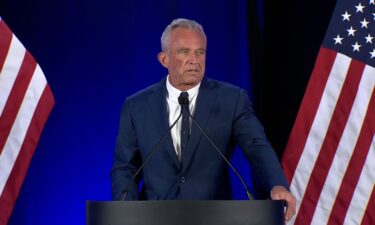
pixel 204 102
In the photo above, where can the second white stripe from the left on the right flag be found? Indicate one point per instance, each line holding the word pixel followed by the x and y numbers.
pixel 345 148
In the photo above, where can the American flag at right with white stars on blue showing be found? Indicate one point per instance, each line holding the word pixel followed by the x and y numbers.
pixel 330 155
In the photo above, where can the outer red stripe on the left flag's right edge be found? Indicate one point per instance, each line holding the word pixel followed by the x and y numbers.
pixel 15 180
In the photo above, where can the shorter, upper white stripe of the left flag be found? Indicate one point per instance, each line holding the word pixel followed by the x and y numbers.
pixel 8 74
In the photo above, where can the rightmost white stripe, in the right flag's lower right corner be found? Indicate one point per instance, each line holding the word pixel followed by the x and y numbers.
pixel 363 189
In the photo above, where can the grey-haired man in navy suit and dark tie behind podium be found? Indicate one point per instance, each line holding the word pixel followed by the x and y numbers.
pixel 186 165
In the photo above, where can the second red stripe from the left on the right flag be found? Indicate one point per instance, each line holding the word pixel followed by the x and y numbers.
pixel 331 141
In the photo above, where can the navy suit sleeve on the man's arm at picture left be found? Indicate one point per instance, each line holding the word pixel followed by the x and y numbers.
pixel 126 157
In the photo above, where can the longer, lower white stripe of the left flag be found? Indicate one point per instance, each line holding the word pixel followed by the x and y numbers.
pixel 17 134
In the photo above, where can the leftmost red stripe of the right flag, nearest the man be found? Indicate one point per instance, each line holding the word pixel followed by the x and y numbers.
pixel 306 114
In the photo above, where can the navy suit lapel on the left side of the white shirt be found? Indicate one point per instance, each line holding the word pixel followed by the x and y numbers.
pixel 158 105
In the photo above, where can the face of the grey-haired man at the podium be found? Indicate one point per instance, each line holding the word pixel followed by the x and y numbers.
pixel 185 58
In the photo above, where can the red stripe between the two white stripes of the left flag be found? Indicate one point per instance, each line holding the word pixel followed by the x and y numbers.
pixel 16 97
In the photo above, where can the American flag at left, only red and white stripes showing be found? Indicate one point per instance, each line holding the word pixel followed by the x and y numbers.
pixel 25 103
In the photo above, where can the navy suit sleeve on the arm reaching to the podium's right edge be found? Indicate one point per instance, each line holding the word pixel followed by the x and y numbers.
pixel 250 136
